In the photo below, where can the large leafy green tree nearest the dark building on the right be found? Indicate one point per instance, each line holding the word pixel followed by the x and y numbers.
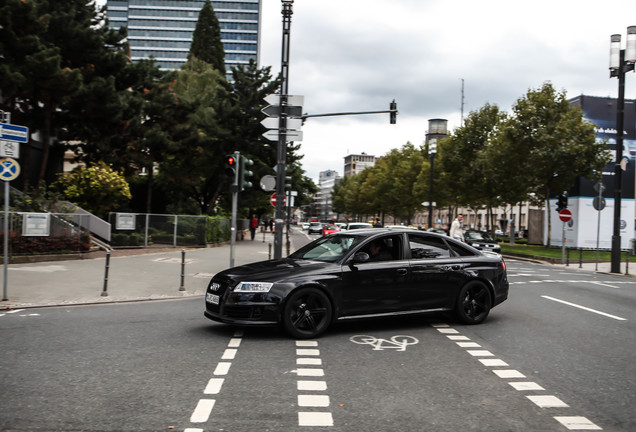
pixel 550 142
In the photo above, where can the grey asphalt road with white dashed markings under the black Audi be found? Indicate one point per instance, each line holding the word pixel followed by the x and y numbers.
pixel 537 364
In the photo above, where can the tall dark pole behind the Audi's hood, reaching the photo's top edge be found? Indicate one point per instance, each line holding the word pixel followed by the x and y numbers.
pixel 279 215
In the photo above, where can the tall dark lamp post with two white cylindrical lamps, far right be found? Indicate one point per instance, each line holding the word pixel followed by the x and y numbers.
pixel 621 62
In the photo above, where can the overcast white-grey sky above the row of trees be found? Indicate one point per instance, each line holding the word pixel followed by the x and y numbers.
pixel 358 55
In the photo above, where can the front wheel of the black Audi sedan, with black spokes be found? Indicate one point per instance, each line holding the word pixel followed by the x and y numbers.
pixel 307 313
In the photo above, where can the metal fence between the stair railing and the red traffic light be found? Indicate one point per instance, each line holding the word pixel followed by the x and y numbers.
pixel 162 230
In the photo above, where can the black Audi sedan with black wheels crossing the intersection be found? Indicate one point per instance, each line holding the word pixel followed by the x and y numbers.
pixel 360 274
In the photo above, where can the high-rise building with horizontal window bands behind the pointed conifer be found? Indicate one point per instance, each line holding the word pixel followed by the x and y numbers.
pixel 163 29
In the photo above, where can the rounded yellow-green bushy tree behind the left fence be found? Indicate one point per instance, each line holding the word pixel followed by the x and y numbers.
pixel 97 189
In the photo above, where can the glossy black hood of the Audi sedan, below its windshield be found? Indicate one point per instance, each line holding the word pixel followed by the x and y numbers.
pixel 272 270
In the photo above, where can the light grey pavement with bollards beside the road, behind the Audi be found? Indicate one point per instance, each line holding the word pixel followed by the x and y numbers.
pixel 152 275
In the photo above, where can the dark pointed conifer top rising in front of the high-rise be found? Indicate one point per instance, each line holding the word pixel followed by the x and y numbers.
pixel 206 39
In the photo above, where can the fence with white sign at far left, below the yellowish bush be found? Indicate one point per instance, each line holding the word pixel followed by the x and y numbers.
pixel 46 233
